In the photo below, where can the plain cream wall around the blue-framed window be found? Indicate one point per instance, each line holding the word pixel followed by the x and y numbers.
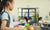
pixel 42 5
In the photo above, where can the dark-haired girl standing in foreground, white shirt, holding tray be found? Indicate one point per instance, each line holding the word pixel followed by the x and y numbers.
pixel 5 7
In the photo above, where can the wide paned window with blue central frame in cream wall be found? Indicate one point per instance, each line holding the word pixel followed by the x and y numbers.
pixel 28 12
